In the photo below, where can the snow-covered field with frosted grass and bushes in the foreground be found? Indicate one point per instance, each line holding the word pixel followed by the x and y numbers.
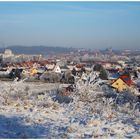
pixel 35 110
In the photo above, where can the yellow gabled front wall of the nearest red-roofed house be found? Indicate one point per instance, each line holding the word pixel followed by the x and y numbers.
pixel 119 85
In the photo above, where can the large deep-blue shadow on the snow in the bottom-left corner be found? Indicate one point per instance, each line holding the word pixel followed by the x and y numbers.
pixel 13 127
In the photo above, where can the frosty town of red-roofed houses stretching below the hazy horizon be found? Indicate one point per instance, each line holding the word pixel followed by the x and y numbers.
pixel 120 69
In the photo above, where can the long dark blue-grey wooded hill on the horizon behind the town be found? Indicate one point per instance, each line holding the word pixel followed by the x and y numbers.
pixel 44 50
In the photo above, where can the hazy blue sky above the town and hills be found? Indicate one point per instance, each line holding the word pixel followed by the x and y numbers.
pixel 76 24
